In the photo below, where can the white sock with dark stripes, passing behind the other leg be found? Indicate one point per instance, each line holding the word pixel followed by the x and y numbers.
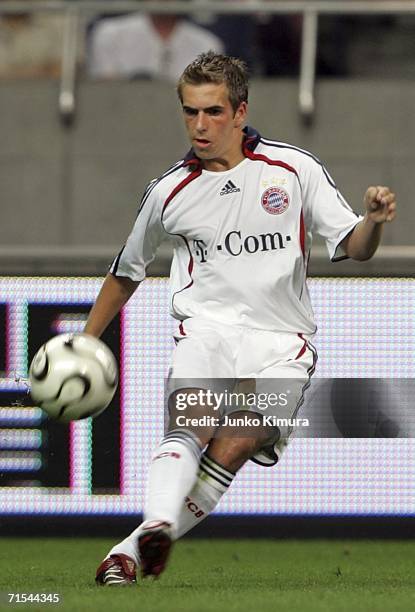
pixel 212 482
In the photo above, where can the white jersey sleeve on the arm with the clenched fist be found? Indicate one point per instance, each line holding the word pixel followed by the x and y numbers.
pixel 330 215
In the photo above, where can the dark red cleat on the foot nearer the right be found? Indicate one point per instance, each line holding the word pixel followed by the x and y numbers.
pixel 154 545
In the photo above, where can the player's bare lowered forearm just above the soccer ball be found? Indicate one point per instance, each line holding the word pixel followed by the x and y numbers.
pixel 114 293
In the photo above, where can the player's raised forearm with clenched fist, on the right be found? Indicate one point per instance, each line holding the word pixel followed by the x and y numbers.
pixel 380 205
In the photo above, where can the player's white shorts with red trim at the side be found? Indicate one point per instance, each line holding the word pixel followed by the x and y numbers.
pixel 212 355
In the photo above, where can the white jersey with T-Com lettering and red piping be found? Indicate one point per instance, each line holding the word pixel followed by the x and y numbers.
pixel 242 237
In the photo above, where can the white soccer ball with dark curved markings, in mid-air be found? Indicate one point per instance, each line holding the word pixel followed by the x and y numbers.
pixel 73 376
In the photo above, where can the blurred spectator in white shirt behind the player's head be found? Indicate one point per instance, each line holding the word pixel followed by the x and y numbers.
pixel 140 45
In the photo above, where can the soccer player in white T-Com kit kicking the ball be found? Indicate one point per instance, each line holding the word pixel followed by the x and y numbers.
pixel 241 210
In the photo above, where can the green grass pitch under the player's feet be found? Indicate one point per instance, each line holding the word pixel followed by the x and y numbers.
pixel 220 576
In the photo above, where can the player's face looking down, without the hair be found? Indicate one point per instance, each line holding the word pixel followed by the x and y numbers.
pixel 214 128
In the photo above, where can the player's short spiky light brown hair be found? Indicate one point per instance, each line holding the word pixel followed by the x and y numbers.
pixel 213 67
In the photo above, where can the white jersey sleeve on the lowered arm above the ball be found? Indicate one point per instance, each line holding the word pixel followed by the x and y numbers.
pixel 143 241
